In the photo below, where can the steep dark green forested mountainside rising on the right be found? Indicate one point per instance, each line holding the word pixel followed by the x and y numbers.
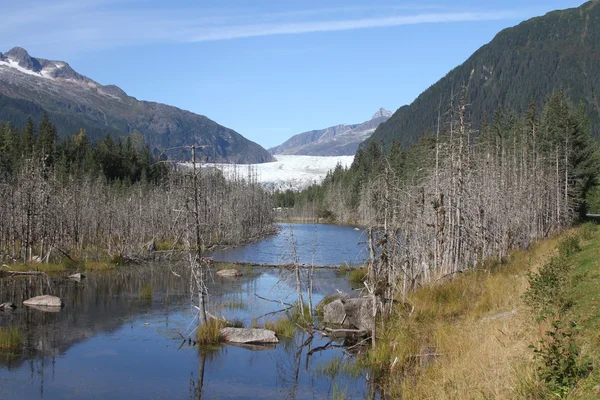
pixel 528 62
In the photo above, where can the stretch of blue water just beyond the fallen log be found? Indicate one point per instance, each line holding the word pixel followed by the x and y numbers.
pixel 317 244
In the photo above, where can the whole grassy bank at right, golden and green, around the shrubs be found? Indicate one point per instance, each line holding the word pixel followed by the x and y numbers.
pixel 470 337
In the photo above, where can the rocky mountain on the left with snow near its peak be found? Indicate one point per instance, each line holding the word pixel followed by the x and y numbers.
pixel 30 85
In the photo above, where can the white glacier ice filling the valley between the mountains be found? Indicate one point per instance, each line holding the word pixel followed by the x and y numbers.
pixel 288 172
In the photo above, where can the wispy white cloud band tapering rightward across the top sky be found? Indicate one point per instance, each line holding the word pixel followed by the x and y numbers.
pixel 94 24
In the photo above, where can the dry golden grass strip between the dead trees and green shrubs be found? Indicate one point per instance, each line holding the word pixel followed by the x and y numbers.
pixel 468 337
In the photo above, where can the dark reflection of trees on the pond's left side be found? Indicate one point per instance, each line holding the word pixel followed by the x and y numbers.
pixel 100 303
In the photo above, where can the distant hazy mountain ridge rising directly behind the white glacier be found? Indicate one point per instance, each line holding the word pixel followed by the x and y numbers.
pixel 339 140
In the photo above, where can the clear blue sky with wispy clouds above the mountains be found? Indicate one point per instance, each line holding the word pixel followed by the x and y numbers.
pixel 267 68
